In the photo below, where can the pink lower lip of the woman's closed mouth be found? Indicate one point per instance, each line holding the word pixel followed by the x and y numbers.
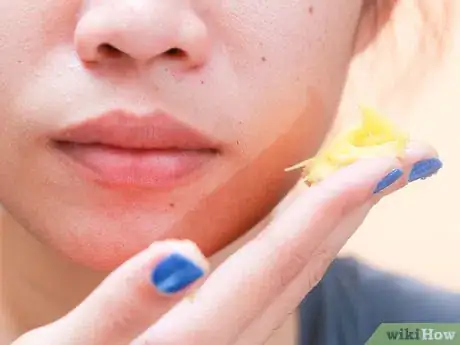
pixel 142 168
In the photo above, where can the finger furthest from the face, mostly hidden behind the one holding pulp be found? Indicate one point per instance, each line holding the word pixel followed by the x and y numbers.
pixel 260 330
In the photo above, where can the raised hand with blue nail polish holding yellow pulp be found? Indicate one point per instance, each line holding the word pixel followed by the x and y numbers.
pixel 249 294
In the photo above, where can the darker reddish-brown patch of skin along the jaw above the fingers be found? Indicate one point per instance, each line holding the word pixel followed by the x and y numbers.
pixel 253 190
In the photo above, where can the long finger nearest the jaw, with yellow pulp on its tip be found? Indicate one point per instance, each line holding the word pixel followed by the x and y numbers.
pixel 243 286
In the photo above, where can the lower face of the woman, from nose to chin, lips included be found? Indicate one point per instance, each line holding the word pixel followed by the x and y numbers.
pixel 125 122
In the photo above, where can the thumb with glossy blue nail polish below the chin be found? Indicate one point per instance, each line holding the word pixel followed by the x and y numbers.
pixel 133 297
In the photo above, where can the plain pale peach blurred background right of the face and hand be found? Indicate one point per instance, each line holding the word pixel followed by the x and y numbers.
pixel 417 231
